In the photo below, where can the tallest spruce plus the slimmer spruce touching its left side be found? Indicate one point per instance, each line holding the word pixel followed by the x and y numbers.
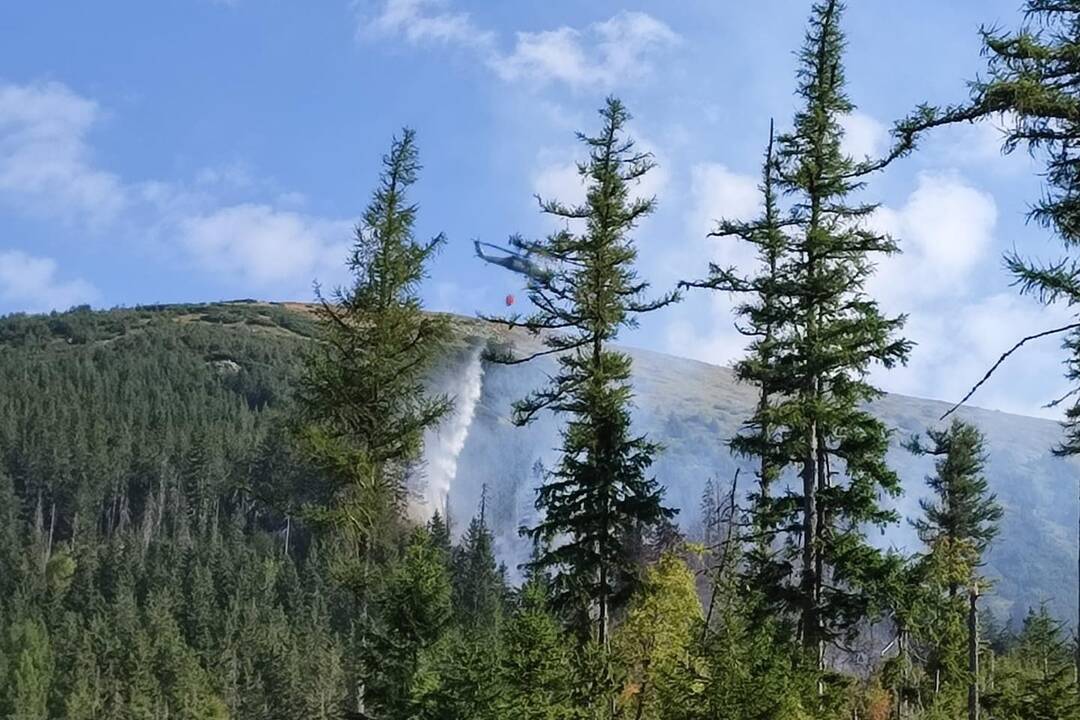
pixel 817 335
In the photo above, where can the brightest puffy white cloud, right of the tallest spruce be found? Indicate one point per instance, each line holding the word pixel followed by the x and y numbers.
pixel 946 228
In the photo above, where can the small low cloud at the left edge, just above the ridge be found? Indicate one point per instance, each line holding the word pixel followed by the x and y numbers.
pixel 31 284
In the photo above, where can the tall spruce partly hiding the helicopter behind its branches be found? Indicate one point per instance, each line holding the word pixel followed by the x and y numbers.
pixel 600 496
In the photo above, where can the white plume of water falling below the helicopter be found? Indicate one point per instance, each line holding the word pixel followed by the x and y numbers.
pixel 444 444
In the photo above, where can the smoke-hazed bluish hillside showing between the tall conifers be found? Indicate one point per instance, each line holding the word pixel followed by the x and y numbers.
pixel 694 410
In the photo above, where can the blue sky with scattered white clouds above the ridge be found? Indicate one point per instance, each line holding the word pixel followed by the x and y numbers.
pixel 187 151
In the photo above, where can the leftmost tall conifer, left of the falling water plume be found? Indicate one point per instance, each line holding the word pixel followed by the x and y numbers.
pixel 362 395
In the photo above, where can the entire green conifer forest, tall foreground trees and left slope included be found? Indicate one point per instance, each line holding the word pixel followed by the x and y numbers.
pixel 215 511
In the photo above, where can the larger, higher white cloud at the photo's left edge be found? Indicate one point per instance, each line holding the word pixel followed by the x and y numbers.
pixel 46 165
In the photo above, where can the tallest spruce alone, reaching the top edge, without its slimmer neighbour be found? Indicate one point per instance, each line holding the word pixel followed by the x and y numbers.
pixel 829 337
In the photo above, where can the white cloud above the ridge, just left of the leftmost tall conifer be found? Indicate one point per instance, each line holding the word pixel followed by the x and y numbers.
pixel 266 247
